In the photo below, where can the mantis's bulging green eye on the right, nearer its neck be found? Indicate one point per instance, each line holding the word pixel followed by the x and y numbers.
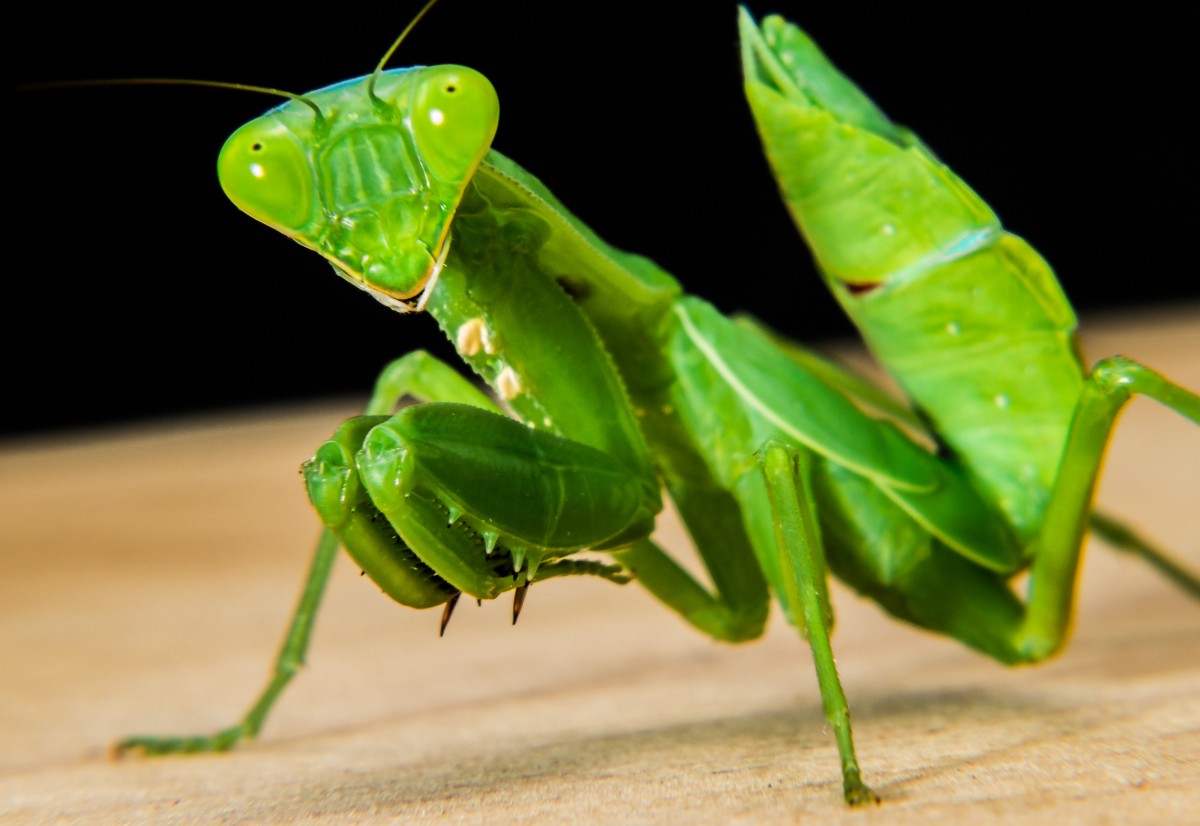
pixel 455 113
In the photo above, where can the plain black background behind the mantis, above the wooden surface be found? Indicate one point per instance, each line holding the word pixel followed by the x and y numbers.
pixel 134 290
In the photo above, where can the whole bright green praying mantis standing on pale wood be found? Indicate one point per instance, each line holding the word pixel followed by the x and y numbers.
pixel 615 388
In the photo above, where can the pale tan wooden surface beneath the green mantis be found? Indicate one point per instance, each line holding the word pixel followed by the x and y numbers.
pixel 148 576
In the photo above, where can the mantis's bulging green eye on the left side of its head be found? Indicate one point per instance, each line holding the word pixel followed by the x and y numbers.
pixel 265 171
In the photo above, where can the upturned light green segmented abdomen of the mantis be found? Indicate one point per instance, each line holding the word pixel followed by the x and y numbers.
pixel 968 318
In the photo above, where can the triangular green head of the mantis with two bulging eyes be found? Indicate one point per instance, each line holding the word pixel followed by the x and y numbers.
pixel 373 182
